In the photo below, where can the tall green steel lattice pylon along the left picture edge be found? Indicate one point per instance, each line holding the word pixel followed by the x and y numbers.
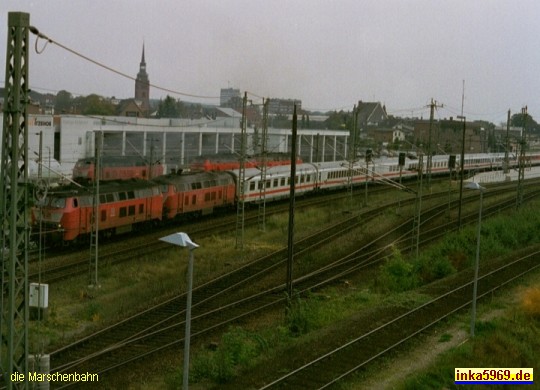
pixel 13 204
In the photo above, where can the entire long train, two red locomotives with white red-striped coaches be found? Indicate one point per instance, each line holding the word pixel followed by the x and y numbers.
pixel 66 213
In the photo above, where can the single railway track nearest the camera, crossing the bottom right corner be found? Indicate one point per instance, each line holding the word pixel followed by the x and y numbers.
pixel 336 364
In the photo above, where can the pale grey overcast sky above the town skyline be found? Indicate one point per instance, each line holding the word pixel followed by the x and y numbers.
pixel 329 54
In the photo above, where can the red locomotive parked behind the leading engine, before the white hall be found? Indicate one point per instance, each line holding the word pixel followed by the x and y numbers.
pixel 116 168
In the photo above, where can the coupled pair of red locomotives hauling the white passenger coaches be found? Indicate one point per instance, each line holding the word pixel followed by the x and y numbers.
pixel 67 212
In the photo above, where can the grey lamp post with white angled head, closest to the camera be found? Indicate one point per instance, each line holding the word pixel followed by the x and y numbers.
pixel 183 240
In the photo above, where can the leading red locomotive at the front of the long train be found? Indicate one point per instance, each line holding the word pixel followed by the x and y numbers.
pixel 67 213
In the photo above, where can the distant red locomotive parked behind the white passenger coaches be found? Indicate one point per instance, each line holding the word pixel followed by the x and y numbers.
pixel 229 161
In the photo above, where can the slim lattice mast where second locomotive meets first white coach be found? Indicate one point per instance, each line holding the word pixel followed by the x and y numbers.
pixel 241 190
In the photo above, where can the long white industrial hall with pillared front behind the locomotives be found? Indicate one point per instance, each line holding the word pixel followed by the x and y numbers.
pixel 171 142
